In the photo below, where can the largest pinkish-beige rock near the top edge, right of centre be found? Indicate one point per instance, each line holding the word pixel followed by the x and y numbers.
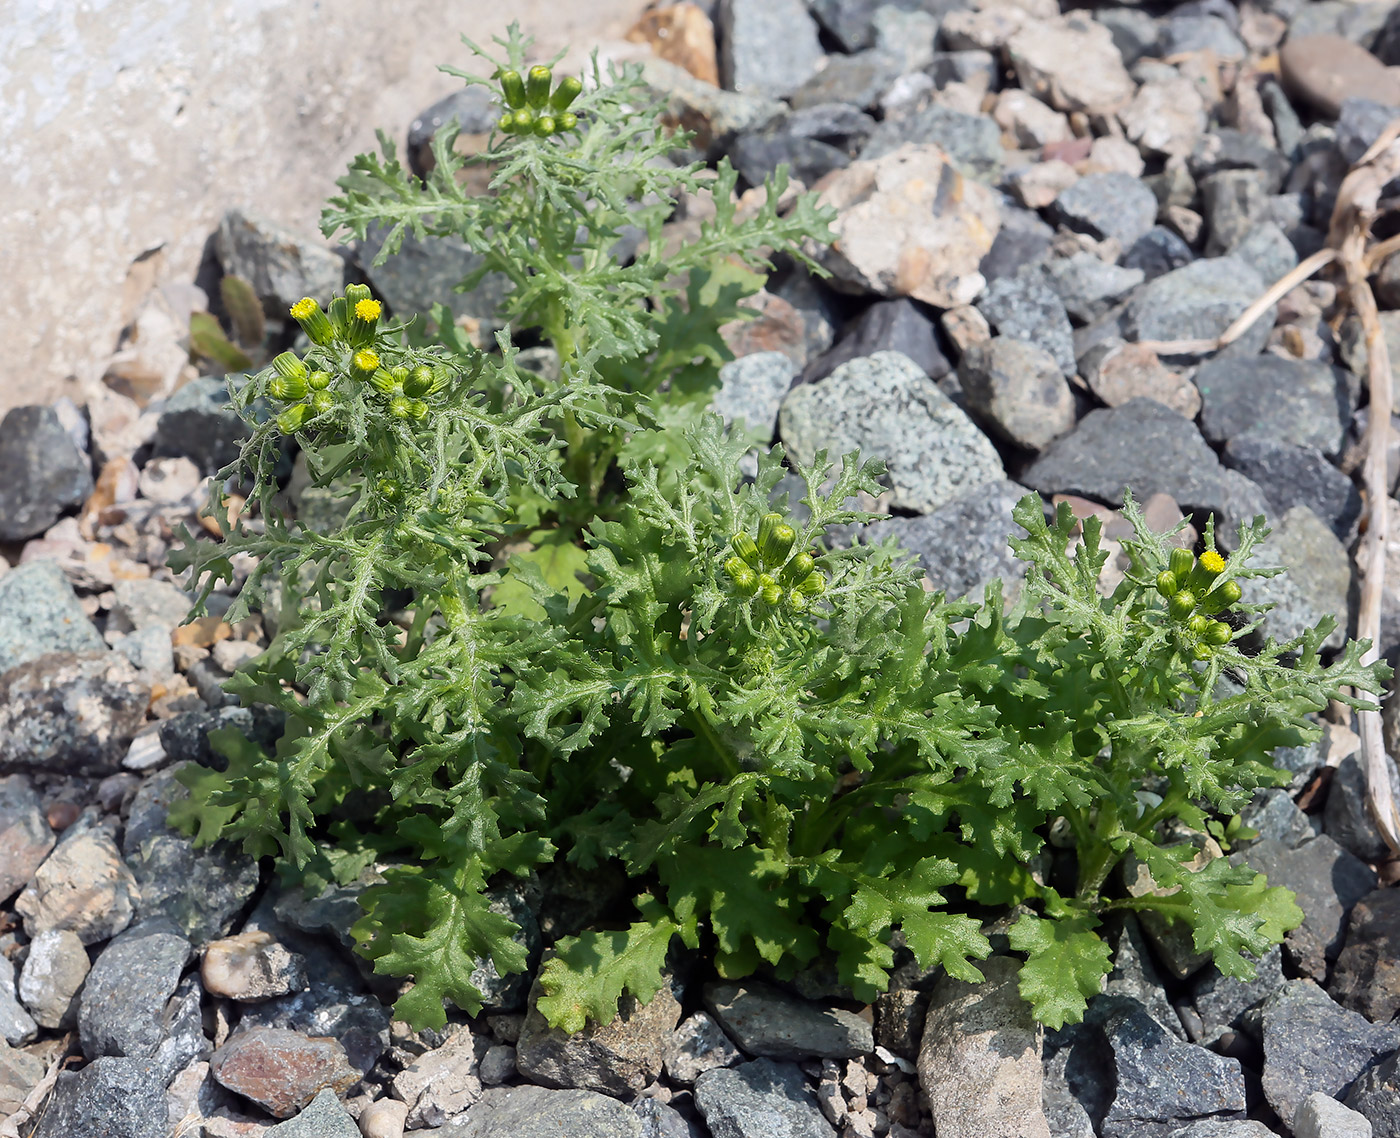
pixel 1072 64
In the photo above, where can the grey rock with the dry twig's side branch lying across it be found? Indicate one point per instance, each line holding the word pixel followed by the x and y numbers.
pixel 1199 302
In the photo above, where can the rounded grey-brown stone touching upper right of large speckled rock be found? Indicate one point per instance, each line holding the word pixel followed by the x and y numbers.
pixel 1020 390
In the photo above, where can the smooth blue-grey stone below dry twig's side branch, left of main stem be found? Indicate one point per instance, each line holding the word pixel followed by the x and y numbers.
pixel 1304 402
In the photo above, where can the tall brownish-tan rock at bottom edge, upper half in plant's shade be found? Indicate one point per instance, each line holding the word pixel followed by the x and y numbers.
pixel 981 1058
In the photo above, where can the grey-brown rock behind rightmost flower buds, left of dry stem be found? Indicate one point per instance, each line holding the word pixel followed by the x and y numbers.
pixel 1317 584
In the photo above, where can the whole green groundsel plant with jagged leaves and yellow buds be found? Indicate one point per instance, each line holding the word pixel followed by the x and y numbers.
pixel 790 748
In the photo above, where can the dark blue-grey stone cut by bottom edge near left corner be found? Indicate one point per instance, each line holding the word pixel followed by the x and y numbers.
pixel 111 1098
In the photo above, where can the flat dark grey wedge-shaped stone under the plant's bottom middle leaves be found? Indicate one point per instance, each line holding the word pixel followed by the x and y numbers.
pixel 769 1023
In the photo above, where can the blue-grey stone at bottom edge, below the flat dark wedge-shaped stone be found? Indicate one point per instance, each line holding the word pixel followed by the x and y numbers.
pixel 759 1101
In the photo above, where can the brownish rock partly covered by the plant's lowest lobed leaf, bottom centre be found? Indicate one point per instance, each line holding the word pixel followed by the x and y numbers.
pixel 615 1059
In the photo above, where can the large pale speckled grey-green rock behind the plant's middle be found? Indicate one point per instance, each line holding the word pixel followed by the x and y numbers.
pixel 885 407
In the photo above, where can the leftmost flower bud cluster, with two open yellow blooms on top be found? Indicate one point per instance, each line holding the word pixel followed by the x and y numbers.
pixel 346 337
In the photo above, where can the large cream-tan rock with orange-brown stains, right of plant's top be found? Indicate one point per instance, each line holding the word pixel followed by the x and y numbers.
pixel 909 225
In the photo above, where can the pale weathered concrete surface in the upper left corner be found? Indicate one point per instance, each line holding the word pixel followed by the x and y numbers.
pixel 129 127
